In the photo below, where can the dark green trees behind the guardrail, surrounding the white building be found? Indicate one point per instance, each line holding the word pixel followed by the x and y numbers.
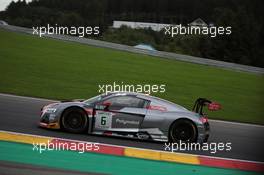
pixel 245 45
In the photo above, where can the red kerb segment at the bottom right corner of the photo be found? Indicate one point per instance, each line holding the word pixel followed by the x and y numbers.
pixel 234 164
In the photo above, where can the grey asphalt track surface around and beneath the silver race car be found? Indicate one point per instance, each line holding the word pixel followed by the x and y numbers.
pixel 21 114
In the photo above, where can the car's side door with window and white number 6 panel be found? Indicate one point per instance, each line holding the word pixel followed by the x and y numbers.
pixel 124 114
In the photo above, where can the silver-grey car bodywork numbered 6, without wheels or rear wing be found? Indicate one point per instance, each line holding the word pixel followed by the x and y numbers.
pixel 131 115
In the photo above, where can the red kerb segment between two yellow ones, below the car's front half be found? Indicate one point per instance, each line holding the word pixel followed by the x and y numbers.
pixel 88 147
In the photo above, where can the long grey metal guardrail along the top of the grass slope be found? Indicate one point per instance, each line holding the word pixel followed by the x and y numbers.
pixel 161 54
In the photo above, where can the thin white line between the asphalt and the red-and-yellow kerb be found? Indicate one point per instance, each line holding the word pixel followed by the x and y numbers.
pixel 105 144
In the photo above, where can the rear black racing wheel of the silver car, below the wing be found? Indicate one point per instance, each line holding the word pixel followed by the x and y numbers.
pixel 184 131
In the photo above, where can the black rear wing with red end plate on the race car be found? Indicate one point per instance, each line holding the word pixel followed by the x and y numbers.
pixel 201 102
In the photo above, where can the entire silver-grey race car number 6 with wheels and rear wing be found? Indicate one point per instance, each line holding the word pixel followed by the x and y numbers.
pixel 129 114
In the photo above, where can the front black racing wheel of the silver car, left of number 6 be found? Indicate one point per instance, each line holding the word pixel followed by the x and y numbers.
pixel 74 120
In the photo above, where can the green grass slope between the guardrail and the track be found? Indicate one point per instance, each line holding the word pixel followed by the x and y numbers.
pixel 54 69
